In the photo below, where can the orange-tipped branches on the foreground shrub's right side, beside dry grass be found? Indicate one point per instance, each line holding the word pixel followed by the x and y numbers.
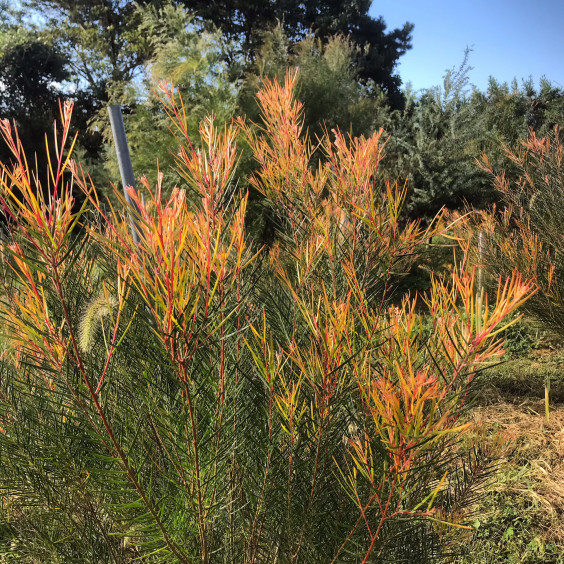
pixel 414 398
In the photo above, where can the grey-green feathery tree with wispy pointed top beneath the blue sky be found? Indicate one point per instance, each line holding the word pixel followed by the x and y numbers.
pixel 435 140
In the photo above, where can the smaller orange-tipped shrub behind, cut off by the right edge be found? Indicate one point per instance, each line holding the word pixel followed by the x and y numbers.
pixel 526 233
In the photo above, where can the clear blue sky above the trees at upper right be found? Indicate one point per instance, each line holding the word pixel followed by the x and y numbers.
pixel 510 39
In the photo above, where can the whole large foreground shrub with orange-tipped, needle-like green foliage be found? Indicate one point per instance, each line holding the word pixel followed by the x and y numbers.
pixel 191 399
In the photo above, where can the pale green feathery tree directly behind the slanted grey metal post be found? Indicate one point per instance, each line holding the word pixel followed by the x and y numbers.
pixel 194 61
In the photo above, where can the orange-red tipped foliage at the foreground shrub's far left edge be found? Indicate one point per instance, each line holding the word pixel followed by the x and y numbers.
pixel 45 225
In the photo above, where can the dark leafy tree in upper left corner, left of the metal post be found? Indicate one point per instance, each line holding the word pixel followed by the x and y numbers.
pixel 82 51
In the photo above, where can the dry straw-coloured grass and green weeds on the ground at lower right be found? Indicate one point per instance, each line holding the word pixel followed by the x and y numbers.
pixel 522 515
